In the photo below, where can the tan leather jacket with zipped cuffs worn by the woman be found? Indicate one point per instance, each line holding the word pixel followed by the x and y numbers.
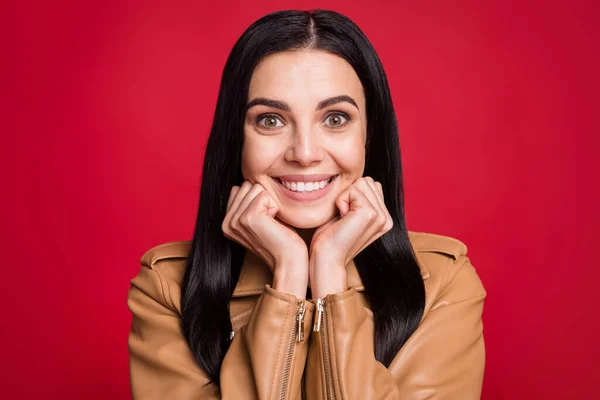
pixel 283 348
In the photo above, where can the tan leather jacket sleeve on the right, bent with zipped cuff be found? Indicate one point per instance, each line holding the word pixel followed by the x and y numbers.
pixel 443 359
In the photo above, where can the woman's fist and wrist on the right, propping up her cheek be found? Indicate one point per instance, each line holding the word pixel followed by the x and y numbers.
pixel 363 219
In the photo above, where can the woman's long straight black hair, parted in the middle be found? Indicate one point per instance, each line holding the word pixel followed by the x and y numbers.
pixel 388 268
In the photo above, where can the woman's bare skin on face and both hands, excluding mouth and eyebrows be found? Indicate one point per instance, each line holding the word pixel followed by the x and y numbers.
pixel 306 241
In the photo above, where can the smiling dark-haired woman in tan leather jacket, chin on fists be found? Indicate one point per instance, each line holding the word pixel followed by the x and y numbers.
pixel 301 280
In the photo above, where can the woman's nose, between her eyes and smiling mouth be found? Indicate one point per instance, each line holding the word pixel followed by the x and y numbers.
pixel 306 146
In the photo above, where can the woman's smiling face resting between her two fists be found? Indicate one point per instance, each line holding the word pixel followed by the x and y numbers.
pixel 304 133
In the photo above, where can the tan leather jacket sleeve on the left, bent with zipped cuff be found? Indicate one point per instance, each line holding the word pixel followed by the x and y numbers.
pixel 264 358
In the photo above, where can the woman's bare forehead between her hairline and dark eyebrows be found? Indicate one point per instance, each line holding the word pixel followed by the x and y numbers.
pixel 305 76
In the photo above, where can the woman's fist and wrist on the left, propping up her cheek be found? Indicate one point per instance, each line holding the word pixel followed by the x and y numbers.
pixel 250 221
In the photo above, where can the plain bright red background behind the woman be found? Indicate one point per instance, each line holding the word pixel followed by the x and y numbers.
pixel 109 108
